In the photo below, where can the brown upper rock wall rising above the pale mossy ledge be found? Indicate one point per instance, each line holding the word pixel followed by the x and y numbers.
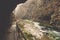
pixel 47 12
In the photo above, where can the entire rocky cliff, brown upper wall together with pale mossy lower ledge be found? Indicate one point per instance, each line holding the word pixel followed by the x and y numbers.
pixel 44 12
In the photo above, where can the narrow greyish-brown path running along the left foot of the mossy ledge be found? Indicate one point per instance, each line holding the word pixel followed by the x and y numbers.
pixel 12 33
